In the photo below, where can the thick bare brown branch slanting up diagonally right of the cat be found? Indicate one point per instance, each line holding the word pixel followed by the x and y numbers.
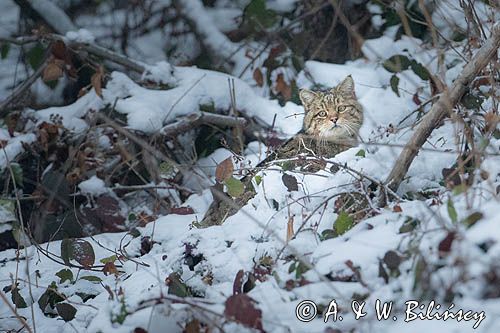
pixel 442 108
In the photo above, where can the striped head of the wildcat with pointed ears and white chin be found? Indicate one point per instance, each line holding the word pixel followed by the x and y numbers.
pixel 334 114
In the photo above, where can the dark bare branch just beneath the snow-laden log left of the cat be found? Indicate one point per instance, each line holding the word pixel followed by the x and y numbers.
pixel 199 118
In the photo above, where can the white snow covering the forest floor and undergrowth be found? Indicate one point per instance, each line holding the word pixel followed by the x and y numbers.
pixel 410 231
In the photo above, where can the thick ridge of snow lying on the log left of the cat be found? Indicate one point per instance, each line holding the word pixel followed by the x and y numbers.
pixel 148 110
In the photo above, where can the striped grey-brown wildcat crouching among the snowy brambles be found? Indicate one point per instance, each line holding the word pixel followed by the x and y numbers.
pixel 331 125
